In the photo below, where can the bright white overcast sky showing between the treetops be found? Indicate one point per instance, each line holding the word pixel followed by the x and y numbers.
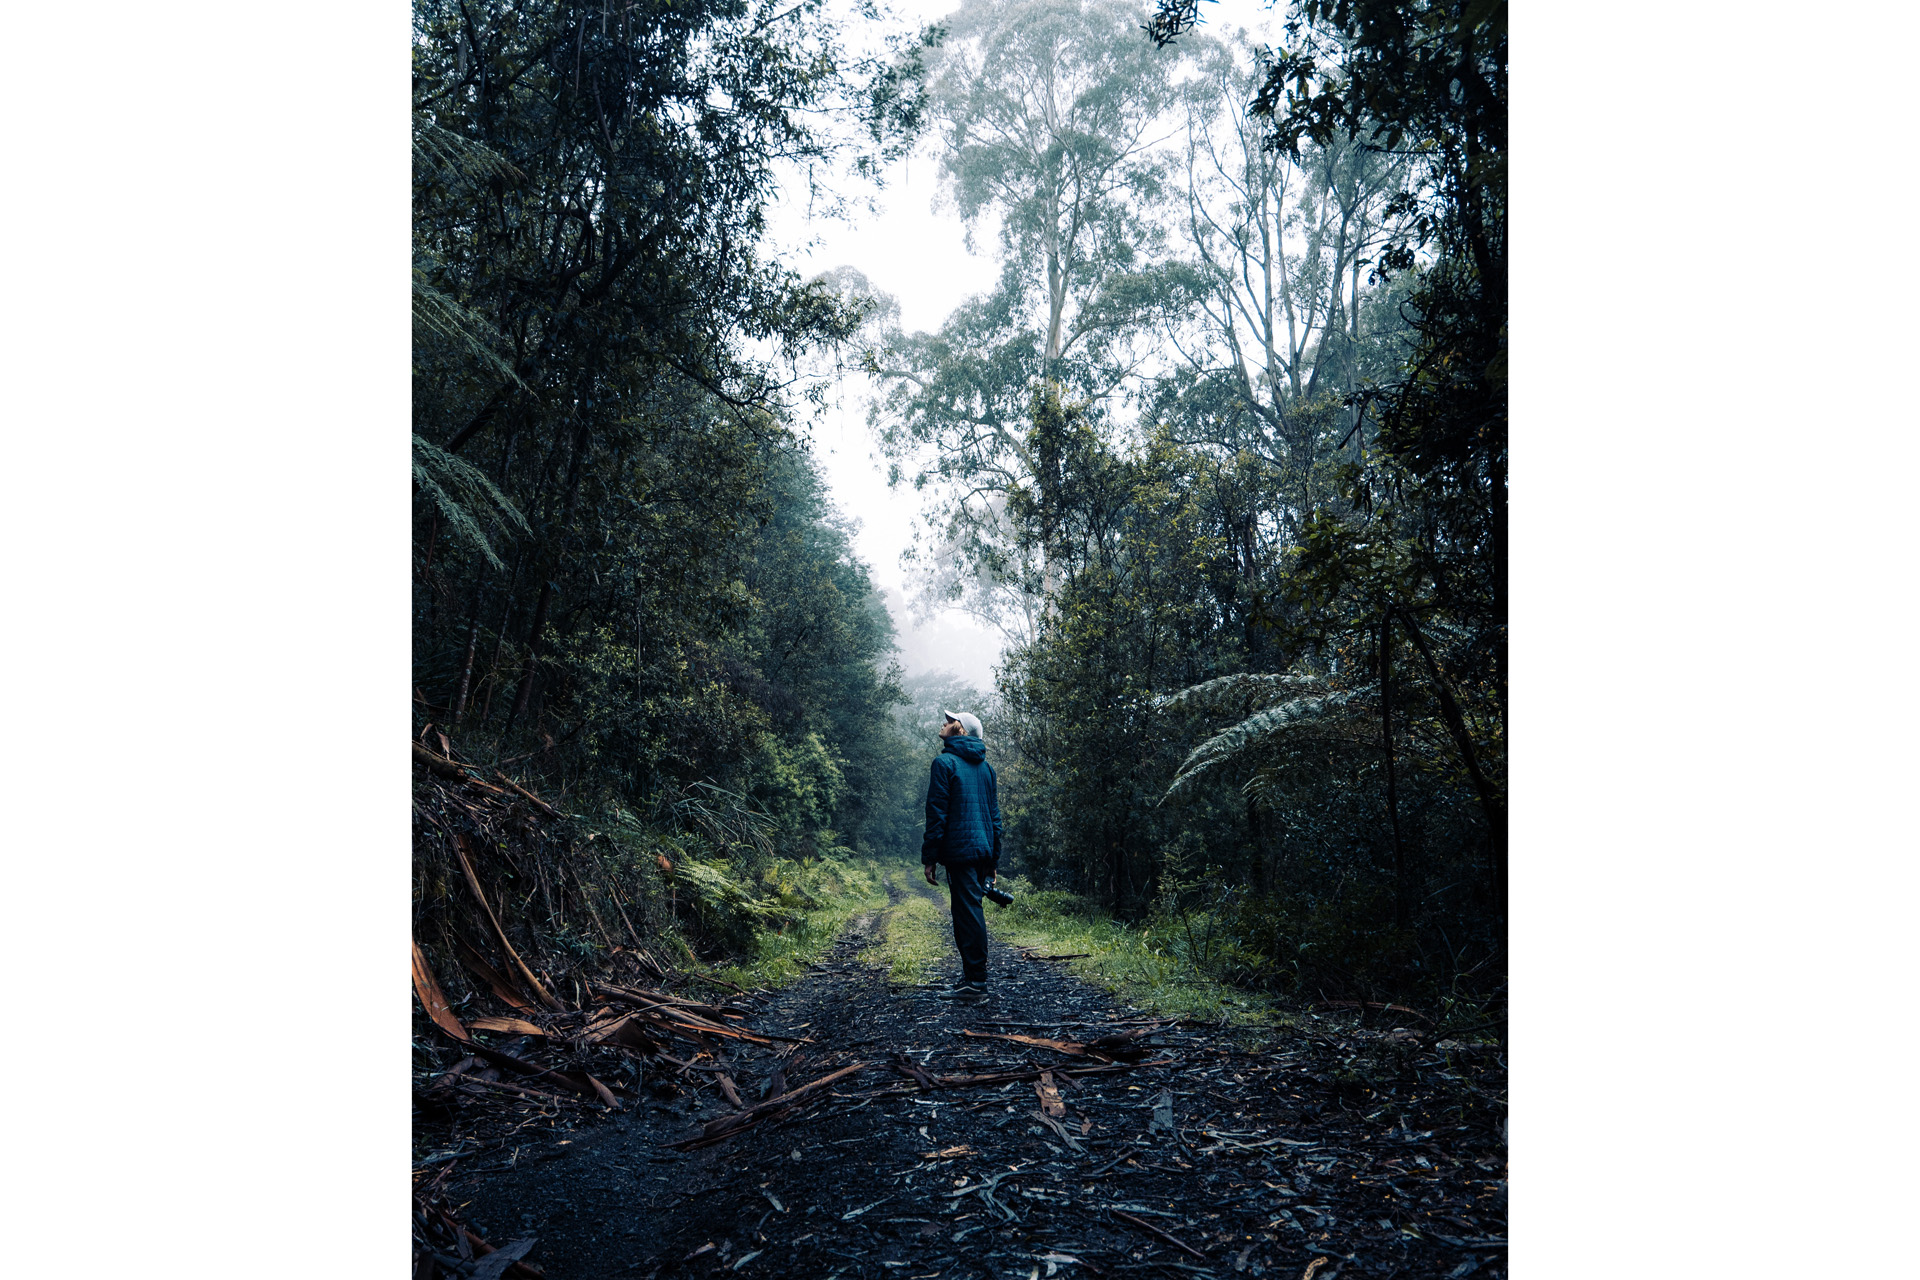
pixel 919 256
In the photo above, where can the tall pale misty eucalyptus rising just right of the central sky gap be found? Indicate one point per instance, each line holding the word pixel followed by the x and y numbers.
pixel 1051 118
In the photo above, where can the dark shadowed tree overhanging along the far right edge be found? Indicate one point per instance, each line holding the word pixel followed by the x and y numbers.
pixel 1416 554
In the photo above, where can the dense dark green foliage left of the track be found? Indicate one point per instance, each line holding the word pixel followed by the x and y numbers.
pixel 629 584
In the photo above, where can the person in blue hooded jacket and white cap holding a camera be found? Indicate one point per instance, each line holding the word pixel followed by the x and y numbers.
pixel 965 836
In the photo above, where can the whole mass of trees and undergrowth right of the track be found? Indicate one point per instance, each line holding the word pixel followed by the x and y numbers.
pixel 1251 542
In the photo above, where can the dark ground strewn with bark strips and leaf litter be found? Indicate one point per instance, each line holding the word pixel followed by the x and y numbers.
pixel 1316 1150
